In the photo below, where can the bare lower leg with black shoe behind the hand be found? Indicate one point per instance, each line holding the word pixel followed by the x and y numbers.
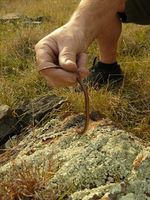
pixel 107 70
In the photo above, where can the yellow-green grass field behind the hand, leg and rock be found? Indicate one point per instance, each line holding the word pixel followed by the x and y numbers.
pixel 128 106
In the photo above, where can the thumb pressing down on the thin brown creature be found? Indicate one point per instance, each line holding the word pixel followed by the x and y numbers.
pixel 67 59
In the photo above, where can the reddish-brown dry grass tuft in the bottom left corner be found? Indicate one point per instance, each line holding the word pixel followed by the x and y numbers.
pixel 25 182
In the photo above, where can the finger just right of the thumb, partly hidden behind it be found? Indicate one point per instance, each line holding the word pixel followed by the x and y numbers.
pixel 82 61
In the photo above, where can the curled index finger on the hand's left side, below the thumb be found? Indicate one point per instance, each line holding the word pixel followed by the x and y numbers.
pixel 46 56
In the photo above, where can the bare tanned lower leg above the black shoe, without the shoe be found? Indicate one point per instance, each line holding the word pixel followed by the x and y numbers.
pixel 108 38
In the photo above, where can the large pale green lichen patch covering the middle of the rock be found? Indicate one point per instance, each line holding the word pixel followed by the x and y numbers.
pixel 99 157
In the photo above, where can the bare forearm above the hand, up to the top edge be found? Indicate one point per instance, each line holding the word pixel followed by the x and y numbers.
pixel 90 16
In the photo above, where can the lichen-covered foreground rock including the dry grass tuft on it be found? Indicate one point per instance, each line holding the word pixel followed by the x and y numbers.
pixel 55 162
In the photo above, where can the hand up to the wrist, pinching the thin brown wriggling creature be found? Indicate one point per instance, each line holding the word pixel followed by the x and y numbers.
pixel 60 56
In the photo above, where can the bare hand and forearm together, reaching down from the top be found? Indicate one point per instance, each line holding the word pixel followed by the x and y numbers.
pixel 61 54
